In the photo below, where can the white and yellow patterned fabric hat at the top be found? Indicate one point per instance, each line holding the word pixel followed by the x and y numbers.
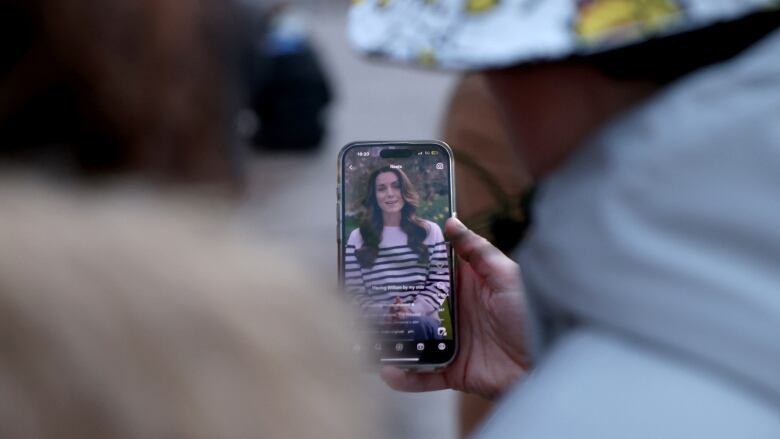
pixel 475 34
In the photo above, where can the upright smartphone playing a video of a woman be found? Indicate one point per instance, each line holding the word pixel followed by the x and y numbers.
pixel 395 265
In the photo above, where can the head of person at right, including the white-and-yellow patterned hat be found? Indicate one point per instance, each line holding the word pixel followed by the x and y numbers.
pixel 562 69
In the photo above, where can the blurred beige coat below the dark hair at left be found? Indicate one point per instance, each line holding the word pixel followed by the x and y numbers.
pixel 124 316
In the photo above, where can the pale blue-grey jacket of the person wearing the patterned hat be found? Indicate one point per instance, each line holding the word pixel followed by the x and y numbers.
pixel 653 269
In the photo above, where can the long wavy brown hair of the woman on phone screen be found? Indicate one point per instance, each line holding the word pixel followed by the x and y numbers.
pixel 372 223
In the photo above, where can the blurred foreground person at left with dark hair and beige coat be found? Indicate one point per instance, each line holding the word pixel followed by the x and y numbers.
pixel 125 314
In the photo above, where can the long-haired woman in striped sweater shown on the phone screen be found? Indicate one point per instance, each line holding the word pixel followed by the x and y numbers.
pixel 397 264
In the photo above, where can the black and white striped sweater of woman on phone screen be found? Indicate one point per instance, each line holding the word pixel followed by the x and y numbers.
pixel 397 272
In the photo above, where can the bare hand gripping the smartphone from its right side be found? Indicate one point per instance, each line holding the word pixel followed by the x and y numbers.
pixel 491 306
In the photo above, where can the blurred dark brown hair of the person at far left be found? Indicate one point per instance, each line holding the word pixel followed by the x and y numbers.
pixel 107 86
